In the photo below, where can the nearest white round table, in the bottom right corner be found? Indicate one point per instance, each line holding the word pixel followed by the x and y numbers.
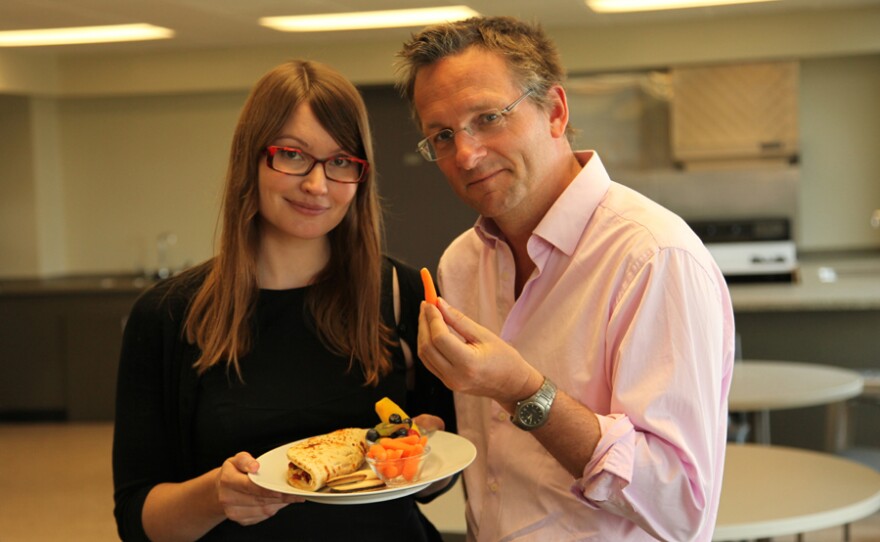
pixel 777 491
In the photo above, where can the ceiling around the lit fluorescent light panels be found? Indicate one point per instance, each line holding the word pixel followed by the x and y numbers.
pixel 233 23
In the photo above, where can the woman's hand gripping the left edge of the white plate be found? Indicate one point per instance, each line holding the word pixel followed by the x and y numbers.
pixel 242 500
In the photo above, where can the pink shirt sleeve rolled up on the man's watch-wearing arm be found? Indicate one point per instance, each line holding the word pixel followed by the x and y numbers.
pixel 659 461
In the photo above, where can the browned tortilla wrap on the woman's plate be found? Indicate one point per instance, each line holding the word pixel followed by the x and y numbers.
pixel 317 459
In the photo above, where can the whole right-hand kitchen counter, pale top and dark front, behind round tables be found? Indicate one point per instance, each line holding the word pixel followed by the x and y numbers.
pixel 829 316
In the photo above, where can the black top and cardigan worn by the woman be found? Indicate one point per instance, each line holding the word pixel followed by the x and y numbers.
pixel 172 426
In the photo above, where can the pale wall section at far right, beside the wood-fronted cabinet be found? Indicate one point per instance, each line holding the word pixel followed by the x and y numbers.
pixel 840 138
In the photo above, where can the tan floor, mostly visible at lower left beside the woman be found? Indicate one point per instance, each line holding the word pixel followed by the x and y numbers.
pixel 55 484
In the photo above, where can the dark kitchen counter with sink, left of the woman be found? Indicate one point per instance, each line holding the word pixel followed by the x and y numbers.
pixel 59 345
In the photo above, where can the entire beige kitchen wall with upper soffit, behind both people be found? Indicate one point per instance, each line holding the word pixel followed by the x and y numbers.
pixel 141 140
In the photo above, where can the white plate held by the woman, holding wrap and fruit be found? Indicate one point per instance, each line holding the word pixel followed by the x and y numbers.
pixel 450 454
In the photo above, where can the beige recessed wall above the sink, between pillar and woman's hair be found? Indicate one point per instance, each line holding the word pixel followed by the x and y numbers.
pixel 139 166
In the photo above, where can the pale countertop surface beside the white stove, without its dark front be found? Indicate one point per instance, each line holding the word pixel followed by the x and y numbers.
pixel 824 283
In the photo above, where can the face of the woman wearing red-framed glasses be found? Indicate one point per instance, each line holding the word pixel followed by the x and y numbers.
pixel 303 207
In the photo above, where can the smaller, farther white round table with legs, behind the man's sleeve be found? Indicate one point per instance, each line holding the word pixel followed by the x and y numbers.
pixel 759 386
